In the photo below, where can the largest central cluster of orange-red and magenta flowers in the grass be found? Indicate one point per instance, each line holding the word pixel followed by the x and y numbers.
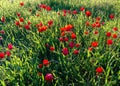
pixel 65 31
